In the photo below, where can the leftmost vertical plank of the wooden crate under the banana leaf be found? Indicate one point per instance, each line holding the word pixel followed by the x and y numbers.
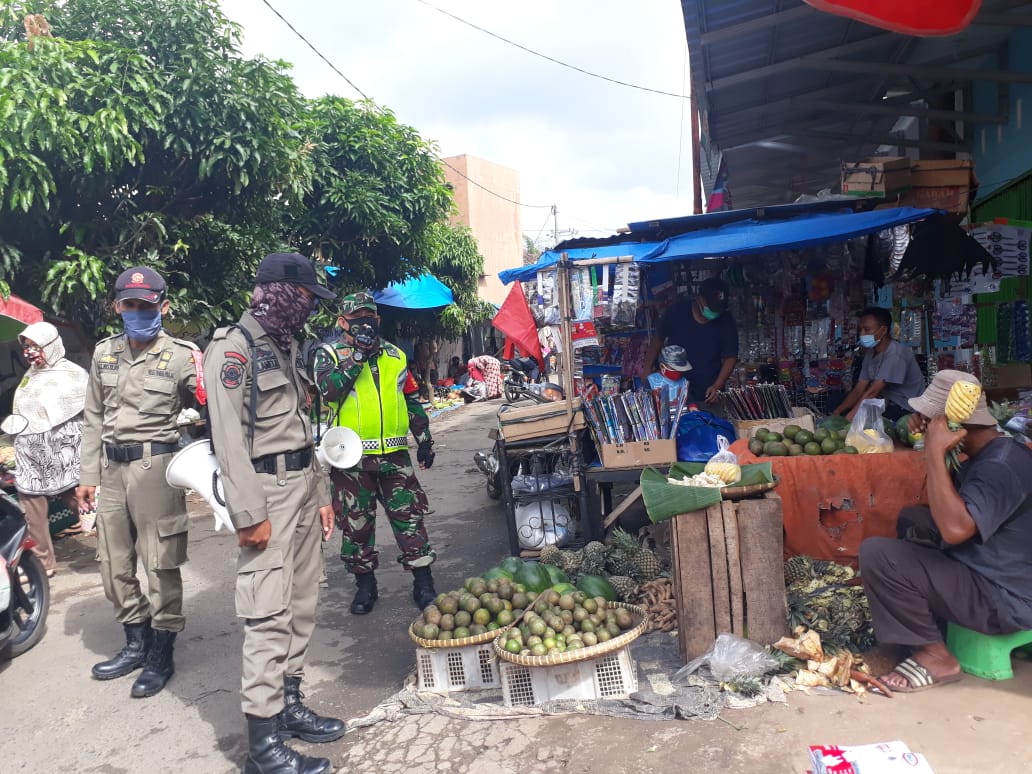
pixel 693 588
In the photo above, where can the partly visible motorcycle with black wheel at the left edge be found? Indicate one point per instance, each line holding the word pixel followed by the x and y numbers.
pixel 25 590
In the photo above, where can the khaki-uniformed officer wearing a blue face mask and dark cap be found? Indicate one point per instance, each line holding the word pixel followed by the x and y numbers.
pixel 140 381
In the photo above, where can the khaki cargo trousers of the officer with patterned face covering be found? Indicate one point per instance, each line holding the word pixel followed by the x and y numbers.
pixel 277 591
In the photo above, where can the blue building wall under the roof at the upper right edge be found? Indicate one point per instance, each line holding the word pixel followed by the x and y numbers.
pixel 1003 153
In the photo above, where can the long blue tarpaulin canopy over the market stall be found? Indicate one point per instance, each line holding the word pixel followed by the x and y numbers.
pixel 741 238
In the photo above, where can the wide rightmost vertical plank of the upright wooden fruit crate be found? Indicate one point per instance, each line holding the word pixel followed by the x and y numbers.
pixel 761 542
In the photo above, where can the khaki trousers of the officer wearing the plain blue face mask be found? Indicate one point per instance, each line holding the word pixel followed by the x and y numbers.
pixel 142 518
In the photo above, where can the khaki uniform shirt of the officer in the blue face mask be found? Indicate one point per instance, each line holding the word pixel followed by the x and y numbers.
pixel 133 401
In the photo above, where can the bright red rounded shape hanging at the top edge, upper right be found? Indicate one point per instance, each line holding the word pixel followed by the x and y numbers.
pixel 908 17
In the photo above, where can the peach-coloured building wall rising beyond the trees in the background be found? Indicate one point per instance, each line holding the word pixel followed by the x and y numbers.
pixel 494 221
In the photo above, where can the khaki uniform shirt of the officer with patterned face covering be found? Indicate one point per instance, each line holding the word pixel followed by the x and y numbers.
pixel 282 415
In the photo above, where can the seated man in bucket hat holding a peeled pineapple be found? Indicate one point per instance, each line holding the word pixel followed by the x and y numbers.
pixel 967 557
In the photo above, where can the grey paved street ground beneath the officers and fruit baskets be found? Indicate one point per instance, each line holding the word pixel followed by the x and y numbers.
pixel 57 719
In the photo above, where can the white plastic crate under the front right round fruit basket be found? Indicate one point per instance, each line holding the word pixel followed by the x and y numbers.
pixel 609 676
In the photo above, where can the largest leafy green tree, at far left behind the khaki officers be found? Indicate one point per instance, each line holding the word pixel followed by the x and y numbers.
pixel 140 135
